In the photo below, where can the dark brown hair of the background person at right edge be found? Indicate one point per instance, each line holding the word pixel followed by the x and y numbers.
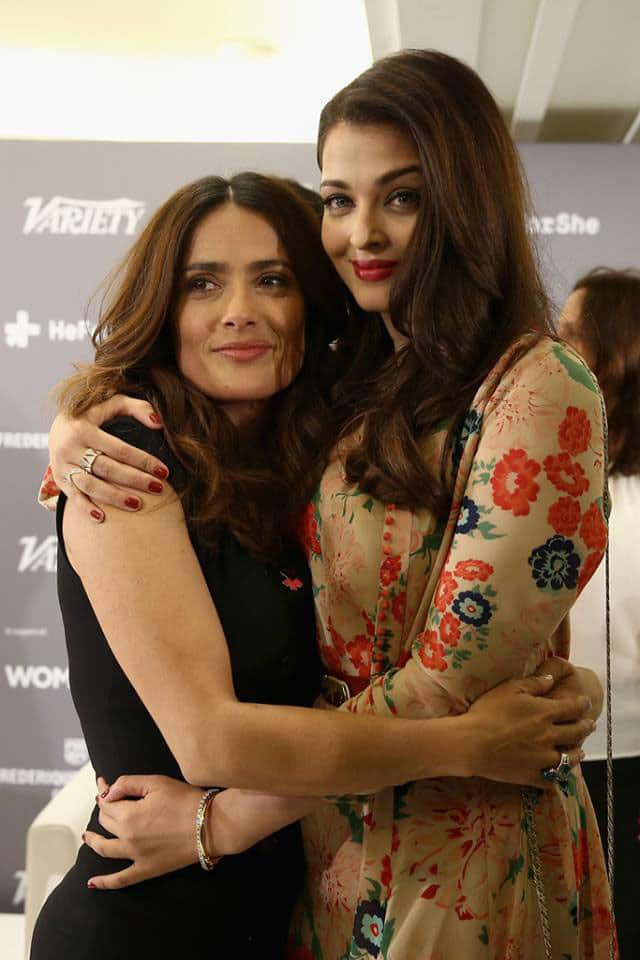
pixel 610 334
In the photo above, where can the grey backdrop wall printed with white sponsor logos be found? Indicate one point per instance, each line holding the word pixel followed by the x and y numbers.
pixel 69 212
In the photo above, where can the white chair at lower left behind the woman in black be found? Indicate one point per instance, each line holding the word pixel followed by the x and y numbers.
pixel 53 841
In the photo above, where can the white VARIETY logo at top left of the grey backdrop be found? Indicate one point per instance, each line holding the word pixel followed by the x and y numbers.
pixel 64 215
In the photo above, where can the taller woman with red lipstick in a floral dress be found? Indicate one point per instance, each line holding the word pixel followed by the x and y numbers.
pixel 460 516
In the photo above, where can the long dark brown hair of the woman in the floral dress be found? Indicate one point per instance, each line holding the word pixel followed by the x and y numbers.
pixel 467 288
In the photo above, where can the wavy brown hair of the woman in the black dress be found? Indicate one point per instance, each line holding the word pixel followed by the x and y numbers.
pixel 250 480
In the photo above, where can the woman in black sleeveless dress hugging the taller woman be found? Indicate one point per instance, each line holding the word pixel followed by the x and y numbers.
pixel 221 319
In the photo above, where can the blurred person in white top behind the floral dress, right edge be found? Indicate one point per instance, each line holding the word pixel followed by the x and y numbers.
pixel 601 320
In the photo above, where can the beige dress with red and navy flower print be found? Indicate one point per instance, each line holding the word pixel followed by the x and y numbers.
pixel 428 617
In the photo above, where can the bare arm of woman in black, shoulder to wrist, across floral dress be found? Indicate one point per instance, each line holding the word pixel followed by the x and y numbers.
pixel 148 592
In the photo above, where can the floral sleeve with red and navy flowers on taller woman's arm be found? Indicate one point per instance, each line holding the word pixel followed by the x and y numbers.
pixel 525 534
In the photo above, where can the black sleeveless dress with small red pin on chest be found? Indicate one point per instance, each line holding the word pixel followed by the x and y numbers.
pixel 241 909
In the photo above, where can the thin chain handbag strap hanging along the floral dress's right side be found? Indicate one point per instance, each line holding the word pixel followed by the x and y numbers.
pixel 530 796
